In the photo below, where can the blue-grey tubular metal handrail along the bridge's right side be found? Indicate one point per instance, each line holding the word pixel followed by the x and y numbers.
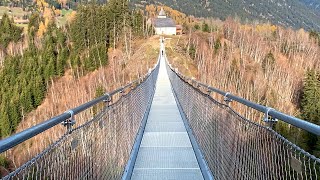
pixel 300 123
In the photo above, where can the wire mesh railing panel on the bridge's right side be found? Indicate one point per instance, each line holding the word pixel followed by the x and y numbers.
pixel 235 147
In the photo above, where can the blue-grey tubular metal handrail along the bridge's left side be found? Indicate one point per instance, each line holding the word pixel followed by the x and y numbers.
pixel 10 142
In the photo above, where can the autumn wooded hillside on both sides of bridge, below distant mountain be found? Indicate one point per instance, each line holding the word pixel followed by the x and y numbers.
pixel 49 66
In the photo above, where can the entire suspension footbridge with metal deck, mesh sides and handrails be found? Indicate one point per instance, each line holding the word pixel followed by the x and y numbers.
pixel 167 126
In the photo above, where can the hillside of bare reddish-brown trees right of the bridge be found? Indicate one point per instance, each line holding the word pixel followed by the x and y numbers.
pixel 266 64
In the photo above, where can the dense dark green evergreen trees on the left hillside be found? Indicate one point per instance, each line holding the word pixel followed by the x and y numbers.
pixel 81 46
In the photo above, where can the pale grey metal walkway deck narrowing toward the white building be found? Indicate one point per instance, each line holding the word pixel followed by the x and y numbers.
pixel 165 151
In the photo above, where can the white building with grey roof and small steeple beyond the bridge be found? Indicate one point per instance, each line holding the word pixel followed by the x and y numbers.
pixel 164 25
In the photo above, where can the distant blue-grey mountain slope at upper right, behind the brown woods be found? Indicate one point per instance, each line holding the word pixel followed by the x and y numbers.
pixel 289 13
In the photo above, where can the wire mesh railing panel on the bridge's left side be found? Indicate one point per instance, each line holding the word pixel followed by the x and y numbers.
pixel 97 149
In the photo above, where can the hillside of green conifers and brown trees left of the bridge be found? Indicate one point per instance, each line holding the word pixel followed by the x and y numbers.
pixel 48 69
